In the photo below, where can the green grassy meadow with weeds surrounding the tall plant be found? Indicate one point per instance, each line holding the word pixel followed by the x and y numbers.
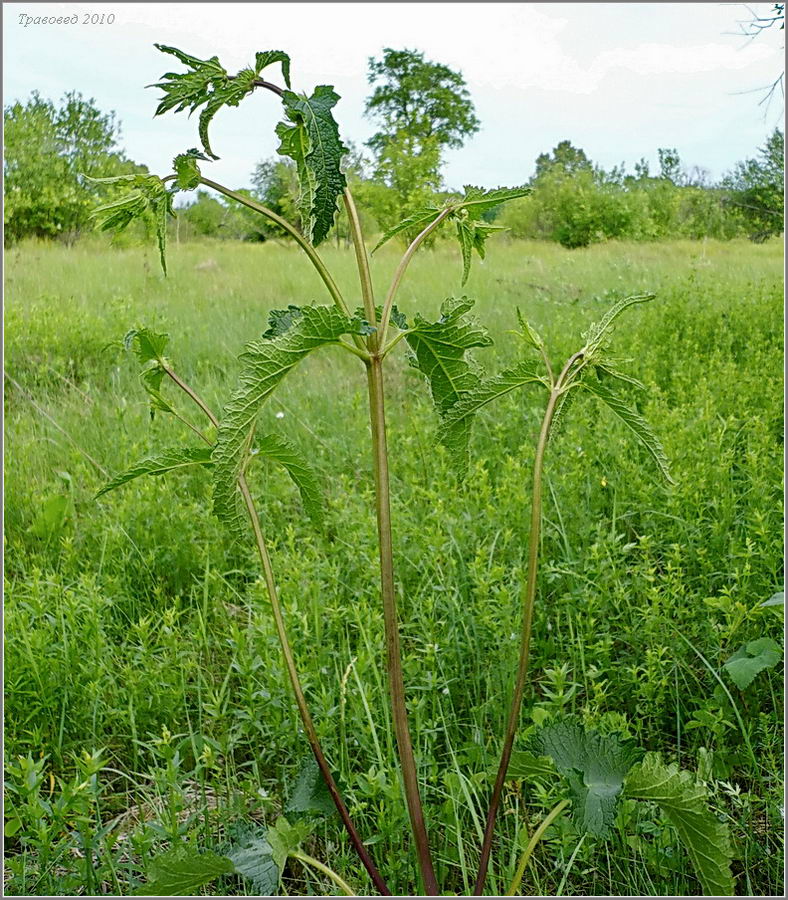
pixel 145 697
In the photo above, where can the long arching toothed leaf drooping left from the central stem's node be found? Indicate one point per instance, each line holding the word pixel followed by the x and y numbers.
pixel 266 363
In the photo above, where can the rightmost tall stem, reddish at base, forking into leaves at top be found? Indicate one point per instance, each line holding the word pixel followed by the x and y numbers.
pixel 529 596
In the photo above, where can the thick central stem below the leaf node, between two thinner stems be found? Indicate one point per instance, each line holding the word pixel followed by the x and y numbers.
pixel 393 650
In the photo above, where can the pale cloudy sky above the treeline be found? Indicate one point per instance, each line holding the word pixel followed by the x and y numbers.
pixel 617 79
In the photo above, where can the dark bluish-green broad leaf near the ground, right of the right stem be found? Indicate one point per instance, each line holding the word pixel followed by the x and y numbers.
pixel 594 766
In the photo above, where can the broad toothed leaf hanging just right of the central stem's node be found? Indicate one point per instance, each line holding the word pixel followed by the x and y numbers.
pixel 439 352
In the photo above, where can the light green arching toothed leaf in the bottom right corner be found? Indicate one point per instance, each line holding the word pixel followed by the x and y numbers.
pixel 684 802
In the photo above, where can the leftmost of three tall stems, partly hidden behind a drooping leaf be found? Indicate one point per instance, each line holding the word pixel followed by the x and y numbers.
pixel 287 653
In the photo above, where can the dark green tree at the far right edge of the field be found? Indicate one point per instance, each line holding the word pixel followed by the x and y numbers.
pixel 757 189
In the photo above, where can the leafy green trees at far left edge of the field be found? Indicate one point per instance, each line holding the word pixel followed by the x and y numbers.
pixel 48 151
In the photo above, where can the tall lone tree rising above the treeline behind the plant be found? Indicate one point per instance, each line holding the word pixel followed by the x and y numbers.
pixel 423 108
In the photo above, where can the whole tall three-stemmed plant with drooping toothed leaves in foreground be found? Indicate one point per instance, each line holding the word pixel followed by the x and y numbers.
pixel 439 349
